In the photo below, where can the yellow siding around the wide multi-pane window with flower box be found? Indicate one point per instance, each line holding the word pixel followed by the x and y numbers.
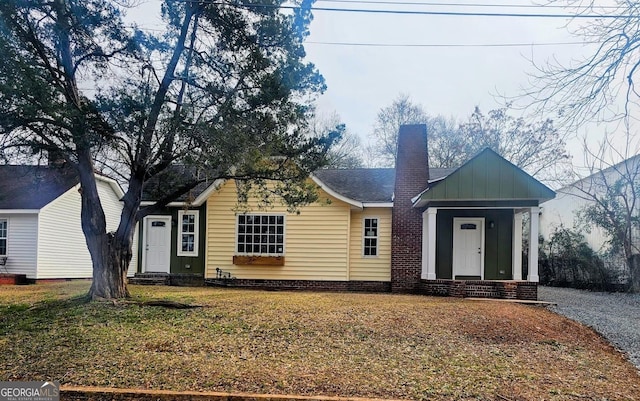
pixel 316 240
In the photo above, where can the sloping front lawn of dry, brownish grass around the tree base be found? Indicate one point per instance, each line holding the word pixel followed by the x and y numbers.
pixel 386 346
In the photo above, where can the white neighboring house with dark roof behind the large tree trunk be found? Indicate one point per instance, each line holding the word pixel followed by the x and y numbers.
pixel 40 231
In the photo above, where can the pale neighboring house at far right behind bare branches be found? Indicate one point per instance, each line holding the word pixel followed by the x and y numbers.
pixel 569 200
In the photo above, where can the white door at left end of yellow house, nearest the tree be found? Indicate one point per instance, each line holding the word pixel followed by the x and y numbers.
pixel 157 244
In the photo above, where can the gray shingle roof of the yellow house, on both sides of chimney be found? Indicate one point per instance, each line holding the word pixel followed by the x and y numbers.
pixel 368 184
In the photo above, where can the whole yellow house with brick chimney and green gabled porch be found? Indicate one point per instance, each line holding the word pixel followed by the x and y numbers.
pixel 409 229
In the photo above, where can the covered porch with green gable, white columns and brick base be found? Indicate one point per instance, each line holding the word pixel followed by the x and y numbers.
pixel 472 231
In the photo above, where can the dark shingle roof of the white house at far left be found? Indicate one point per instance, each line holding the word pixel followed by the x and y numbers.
pixel 33 187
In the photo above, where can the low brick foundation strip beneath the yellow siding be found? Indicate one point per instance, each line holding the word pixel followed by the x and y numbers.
pixel 307 285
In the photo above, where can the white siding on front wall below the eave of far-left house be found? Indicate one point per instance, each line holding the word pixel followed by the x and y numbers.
pixel 21 243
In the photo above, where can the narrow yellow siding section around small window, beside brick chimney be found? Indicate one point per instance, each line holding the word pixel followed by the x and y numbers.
pixel 370 268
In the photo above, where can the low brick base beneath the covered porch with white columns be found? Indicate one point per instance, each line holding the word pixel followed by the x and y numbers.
pixel 523 290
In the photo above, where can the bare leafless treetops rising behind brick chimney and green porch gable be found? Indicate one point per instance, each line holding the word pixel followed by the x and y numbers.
pixel 537 147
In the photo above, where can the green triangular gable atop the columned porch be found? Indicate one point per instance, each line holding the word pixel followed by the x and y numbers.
pixel 487 176
